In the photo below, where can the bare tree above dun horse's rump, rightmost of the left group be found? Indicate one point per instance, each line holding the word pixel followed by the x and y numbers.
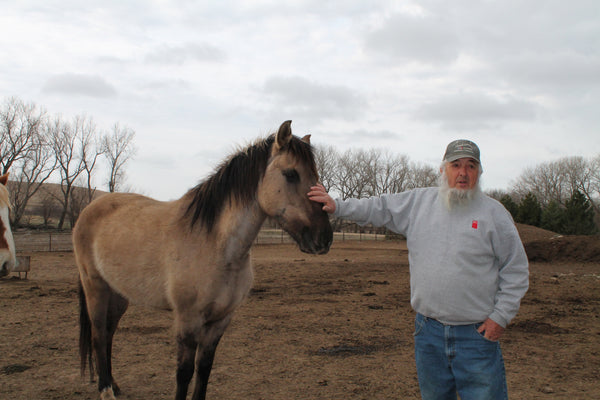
pixel 118 148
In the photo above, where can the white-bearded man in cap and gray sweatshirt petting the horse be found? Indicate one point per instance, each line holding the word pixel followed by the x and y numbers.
pixel 468 273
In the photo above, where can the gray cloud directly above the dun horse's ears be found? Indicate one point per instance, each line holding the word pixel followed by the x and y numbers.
pixel 298 96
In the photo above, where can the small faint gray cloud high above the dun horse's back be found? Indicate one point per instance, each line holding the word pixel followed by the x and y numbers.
pixel 181 54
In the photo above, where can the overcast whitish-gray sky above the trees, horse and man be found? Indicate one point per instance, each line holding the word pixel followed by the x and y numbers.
pixel 197 79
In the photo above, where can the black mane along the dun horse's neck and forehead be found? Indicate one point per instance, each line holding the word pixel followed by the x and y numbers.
pixel 237 179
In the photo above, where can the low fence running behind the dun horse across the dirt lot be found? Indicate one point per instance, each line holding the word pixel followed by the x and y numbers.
pixel 32 241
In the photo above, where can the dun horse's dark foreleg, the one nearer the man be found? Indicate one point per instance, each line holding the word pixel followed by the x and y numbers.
pixel 206 356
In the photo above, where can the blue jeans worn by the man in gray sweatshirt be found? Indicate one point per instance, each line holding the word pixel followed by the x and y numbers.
pixel 457 358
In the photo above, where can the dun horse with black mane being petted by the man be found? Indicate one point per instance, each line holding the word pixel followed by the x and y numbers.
pixel 191 255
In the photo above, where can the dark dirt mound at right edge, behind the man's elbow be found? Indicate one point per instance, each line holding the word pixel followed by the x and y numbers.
pixel 546 246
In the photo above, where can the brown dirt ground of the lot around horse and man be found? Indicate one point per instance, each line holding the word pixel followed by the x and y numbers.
pixel 337 326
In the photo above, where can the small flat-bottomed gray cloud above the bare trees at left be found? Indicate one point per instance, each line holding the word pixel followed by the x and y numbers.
pixel 79 84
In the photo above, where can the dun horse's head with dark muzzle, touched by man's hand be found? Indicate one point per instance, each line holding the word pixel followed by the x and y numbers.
pixel 282 193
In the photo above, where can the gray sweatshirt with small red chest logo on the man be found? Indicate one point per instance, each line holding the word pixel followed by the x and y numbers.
pixel 466 264
